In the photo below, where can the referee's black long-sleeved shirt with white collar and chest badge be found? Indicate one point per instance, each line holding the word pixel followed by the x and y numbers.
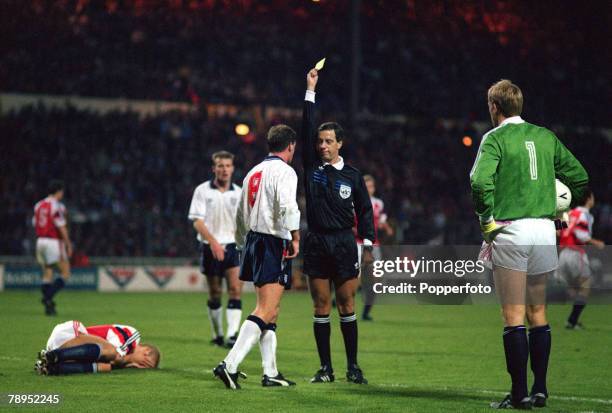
pixel 333 197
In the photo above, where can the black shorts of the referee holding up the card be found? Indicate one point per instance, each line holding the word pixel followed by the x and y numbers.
pixel 331 255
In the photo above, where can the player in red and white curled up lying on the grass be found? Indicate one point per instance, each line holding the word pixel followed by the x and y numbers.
pixel 73 348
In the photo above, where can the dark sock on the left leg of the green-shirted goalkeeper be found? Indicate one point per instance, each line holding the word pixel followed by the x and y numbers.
pixel 517 353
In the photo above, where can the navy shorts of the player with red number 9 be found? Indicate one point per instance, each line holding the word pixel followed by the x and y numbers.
pixel 263 260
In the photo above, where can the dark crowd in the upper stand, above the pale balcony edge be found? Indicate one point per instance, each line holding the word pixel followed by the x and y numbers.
pixel 435 57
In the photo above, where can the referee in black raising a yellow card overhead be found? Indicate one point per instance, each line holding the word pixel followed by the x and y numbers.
pixel 335 194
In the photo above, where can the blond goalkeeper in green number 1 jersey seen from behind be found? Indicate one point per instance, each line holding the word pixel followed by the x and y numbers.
pixel 513 189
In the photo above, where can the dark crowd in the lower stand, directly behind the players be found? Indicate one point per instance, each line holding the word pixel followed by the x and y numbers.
pixel 130 180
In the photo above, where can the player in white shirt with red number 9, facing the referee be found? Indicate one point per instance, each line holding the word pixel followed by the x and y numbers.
pixel 267 232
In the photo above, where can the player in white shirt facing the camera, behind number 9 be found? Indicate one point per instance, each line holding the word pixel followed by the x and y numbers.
pixel 213 212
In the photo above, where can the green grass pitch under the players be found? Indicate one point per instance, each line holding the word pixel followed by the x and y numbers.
pixel 417 358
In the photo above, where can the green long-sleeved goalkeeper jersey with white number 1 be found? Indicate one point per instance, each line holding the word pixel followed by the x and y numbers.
pixel 514 173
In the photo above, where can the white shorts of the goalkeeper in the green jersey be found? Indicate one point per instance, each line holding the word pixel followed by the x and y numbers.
pixel 528 246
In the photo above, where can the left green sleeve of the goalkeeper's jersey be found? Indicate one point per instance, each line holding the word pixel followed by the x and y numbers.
pixel 482 177
